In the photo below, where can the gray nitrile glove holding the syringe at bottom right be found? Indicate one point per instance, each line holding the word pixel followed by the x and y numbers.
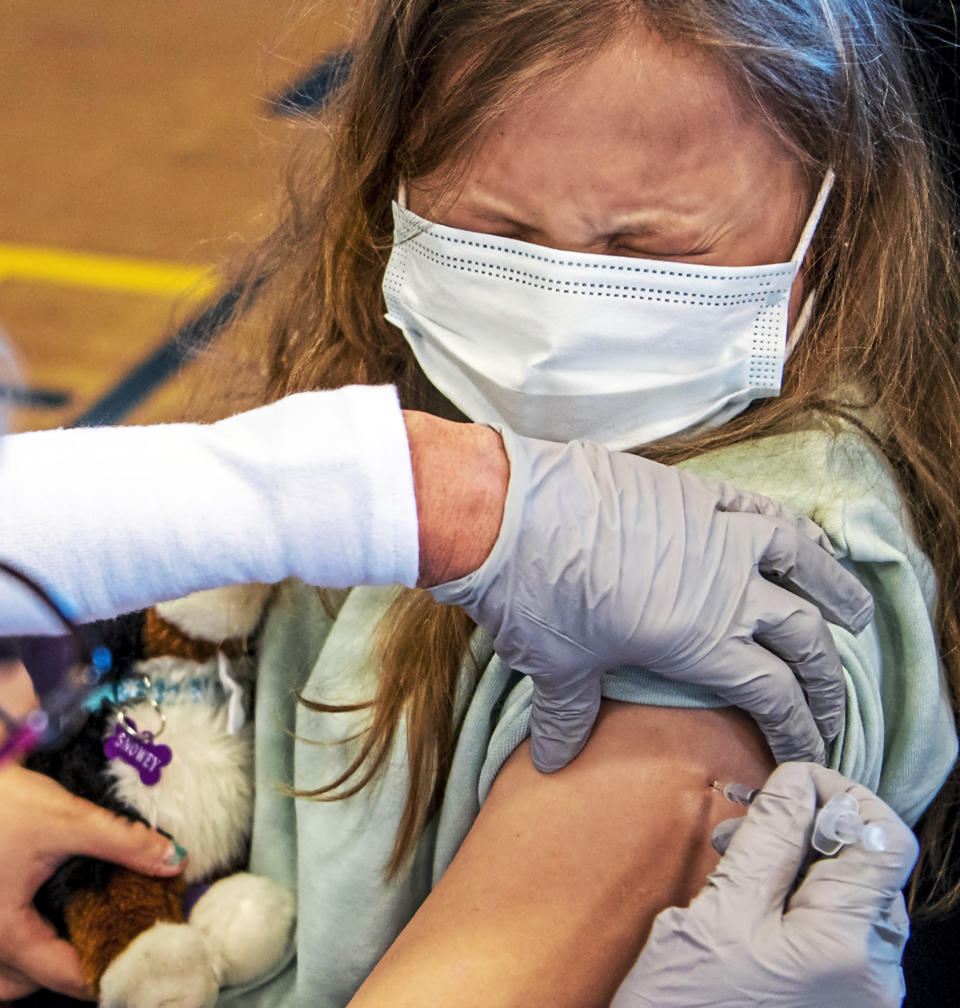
pixel 747 942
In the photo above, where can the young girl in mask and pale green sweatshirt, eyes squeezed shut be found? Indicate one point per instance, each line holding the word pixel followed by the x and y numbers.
pixel 530 148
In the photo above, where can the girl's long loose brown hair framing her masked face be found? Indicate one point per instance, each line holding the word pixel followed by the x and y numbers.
pixel 833 80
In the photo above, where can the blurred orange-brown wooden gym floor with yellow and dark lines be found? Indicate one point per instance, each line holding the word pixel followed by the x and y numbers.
pixel 138 150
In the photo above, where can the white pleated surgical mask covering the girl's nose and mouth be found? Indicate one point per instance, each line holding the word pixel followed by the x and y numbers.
pixel 566 346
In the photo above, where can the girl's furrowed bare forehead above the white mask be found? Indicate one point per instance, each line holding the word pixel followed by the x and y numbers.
pixel 643 129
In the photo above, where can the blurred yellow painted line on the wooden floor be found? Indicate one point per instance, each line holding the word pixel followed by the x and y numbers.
pixel 82 270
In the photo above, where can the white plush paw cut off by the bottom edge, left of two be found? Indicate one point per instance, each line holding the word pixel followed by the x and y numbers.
pixel 166 967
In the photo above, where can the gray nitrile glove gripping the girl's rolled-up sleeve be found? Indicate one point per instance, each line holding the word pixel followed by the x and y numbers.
pixel 606 560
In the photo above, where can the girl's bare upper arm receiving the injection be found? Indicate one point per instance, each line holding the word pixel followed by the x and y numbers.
pixel 555 890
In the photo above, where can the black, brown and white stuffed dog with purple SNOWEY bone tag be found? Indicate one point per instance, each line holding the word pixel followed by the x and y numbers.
pixel 170 745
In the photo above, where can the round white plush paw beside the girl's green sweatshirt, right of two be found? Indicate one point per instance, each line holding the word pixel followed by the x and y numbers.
pixel 247 922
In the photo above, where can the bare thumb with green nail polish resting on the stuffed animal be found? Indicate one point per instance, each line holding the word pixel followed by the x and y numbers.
pixel 98 833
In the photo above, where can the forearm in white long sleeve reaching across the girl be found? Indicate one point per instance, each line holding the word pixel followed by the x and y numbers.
pixel 317 486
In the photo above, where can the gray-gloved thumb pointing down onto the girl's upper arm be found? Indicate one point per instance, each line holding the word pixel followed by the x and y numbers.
pixel 561 720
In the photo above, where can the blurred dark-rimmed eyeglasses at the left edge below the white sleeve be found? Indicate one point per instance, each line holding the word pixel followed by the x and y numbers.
pixel 64 668
